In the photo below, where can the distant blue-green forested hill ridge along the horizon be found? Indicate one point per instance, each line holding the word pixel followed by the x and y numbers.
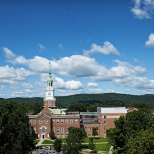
pixel 92 98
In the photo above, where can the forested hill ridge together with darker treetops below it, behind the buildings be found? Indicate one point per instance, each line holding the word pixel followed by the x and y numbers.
pixel 87 102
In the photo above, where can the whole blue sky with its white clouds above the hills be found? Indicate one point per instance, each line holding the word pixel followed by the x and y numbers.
pixel 94 46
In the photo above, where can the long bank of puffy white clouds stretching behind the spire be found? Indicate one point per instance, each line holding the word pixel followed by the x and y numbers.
pixel 76 66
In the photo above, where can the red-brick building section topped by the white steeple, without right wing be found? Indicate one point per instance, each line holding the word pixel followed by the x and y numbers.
pixel 52 118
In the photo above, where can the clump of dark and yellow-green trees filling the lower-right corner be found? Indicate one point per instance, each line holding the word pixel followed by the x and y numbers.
pixel 133 134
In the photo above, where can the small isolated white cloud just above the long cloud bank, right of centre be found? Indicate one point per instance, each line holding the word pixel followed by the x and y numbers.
pixel 106 49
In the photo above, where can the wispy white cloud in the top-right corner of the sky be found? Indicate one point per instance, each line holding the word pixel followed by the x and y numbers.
pixel 143 9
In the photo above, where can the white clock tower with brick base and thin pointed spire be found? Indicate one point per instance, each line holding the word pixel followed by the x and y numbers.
pixel 49 99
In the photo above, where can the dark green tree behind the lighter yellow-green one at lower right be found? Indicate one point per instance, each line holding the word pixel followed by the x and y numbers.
pixel 127 128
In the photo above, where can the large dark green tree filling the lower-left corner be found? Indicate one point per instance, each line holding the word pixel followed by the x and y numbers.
pixel 15 132
